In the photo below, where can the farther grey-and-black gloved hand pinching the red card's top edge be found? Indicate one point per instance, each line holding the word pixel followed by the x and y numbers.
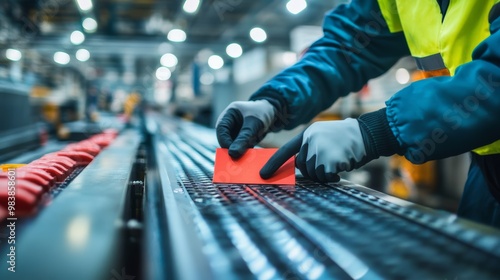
pixel 243 124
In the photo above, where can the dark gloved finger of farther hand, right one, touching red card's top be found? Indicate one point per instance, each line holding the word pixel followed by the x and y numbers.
pixel 249 135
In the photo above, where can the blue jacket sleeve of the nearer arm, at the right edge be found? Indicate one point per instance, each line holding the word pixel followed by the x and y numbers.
pixel 445 116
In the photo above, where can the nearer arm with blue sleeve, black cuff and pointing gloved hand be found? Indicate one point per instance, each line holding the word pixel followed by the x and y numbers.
pixel 430 119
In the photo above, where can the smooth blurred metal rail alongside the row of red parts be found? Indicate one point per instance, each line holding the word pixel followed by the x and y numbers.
pixel 84 232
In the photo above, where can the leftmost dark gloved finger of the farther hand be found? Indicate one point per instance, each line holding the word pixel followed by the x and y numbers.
pixel 228 127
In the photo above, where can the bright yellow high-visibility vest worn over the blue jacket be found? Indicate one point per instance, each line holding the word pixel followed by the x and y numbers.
pixel 438 44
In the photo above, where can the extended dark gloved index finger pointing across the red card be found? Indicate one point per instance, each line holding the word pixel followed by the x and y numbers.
pixel 281 156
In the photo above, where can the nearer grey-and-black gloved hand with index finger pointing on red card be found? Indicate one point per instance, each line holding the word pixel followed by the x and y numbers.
pixel 324 149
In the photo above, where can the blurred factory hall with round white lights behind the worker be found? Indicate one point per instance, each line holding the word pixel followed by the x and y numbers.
pixel 67 61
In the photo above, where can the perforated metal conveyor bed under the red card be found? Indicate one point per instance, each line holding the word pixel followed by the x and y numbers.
pixel 306 231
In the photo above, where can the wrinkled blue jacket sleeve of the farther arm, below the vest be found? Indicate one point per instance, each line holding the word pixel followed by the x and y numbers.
pixel 357 46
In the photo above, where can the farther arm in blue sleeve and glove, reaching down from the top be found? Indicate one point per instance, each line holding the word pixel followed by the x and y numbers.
pixel 359 43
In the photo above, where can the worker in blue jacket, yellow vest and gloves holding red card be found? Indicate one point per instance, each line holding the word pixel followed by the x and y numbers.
pixel 455 110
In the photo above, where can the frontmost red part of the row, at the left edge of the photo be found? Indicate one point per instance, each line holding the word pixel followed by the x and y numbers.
pixel 25 201
